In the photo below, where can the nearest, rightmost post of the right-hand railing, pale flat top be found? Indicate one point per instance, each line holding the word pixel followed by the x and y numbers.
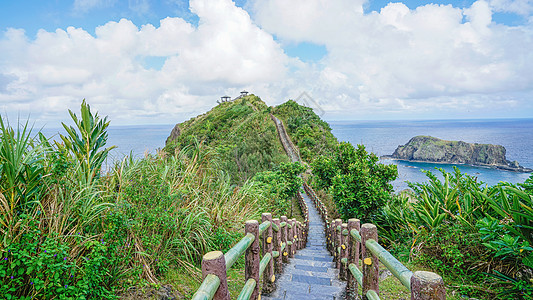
pixel 427 286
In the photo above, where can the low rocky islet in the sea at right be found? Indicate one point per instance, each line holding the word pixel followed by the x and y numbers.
pixel 431 149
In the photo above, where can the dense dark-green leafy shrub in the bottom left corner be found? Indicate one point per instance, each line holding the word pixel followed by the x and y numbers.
pixel 40 266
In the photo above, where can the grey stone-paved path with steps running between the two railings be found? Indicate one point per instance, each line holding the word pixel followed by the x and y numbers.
pixel 311 274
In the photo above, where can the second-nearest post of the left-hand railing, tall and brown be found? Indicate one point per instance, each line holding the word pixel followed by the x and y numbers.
pixel 252 259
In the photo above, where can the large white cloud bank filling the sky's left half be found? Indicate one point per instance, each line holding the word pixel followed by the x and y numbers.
pixel 57 69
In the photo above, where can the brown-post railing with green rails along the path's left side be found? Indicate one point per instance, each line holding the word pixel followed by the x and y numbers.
pixel 276 239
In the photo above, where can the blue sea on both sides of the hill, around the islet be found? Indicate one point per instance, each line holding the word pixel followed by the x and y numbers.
pixel 380 137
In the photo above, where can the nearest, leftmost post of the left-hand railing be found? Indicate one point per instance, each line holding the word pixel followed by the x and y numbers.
pixel 214 263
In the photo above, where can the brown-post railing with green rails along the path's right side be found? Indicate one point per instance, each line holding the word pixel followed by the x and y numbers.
pixel 348 242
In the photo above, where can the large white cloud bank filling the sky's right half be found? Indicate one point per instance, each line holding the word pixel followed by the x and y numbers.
pixel 399 59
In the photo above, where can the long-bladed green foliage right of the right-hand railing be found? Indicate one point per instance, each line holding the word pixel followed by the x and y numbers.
pixel 463 228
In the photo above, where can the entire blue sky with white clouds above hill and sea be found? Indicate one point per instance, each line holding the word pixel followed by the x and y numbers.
pixel 358 59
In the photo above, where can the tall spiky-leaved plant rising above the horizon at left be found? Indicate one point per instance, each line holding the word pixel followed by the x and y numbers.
pixel 86 145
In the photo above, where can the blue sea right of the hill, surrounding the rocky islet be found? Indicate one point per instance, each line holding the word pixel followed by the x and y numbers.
pixel 382 138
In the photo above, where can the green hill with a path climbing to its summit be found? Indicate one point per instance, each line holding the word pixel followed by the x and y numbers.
pixel 244 137
